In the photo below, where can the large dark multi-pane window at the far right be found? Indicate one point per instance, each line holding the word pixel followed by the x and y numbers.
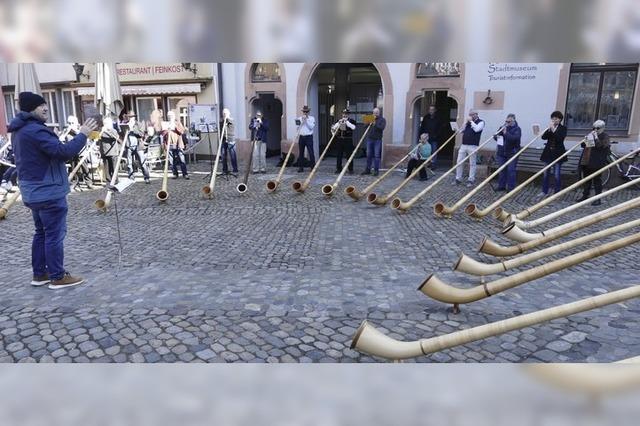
pixel 600 91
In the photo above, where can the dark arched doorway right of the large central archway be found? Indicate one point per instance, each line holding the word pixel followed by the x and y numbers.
pixel 446 111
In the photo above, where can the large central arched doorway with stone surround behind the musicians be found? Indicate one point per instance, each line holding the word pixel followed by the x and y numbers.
pixel 329 88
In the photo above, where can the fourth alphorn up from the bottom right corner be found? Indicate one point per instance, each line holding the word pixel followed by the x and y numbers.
pixel 489 247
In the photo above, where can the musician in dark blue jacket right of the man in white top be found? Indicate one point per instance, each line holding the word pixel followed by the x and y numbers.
pixel 508 145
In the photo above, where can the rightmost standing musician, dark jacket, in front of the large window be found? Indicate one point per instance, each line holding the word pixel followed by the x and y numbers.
pixel 594 157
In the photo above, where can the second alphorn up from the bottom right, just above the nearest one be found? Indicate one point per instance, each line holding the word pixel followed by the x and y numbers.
pixel 438 290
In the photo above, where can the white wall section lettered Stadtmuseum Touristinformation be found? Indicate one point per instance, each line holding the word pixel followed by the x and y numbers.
pixel 532 101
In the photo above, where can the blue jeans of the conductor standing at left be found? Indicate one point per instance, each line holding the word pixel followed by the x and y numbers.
pixel 47 248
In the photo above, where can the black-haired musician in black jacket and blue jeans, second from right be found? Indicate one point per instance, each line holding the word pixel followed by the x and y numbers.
pixel 553 148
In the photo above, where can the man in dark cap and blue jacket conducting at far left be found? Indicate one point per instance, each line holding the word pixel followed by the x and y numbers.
pixel 42 177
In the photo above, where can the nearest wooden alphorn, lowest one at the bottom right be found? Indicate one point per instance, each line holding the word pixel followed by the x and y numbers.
pixel 369 340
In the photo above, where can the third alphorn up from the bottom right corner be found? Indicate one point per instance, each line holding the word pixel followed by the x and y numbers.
pixel 471 266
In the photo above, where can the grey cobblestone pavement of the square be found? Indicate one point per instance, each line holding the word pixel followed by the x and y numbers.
pixel 287 277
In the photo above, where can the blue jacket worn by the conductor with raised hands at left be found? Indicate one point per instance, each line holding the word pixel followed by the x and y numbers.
pixel 40 159
